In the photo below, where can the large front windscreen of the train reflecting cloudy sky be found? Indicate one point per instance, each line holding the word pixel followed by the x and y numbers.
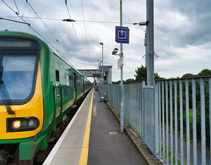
pixel 18 76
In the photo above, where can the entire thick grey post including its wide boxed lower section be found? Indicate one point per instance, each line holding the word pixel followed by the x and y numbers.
pixel 150 109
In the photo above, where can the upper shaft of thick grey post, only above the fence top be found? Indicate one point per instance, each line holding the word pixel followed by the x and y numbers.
pixel 150 43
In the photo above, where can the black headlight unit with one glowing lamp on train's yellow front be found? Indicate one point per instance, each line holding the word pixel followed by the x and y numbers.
pixel 22 124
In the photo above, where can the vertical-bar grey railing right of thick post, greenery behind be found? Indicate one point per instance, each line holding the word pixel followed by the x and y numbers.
pixel 184 121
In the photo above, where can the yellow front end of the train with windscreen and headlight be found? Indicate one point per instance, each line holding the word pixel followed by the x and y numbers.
pixel 21 101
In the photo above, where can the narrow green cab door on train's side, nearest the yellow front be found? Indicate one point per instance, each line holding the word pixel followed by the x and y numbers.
pixel 57 93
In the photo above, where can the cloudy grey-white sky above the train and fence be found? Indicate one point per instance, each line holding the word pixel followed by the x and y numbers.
pixel 182 31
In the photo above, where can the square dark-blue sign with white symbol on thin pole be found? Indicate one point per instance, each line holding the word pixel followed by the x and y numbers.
pixel 122 34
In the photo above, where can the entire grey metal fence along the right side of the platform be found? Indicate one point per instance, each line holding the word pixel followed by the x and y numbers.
pixel 177 128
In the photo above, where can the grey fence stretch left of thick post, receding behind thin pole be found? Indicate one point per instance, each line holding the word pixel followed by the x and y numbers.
pixel 132 106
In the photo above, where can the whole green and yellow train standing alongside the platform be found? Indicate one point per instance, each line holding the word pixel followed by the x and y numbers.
pixel 38 89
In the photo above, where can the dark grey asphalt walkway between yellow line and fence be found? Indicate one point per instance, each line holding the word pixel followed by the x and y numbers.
pixel 108 146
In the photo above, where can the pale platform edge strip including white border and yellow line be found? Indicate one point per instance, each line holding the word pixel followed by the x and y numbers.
pixel 72 146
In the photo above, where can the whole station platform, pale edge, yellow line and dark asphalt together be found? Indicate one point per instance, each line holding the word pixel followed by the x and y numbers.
pixel 93 137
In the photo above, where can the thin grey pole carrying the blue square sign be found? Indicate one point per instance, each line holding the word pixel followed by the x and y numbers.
pixel 122 87
